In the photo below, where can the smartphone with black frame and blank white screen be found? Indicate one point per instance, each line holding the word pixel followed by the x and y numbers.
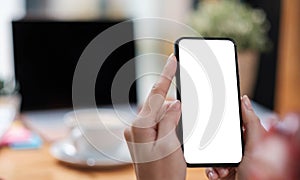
pixel 207 81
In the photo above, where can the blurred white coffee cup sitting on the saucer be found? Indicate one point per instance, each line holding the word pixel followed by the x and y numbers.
pixel 95 131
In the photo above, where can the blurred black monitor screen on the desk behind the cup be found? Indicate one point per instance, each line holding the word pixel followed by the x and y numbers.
pixel 46 54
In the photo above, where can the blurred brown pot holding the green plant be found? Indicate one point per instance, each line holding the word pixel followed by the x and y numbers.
pixel 248 66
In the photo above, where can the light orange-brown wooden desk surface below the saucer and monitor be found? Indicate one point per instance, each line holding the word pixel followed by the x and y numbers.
pixel 39 164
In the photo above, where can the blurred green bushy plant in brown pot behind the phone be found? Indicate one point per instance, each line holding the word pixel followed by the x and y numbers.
pixel 245 25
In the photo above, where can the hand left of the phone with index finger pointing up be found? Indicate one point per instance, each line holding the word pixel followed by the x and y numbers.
pixel 152 139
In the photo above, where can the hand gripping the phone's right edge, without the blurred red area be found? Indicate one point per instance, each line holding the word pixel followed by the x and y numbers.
pixel 253 133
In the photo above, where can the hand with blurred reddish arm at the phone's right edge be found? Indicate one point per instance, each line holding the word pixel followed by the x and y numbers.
pixel 268 155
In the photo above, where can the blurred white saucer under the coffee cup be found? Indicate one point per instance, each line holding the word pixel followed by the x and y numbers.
pixel 65 151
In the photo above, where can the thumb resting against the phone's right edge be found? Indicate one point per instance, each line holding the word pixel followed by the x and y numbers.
pixel 253 128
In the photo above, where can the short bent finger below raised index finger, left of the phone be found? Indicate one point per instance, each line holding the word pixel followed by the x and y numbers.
pixel 170 120
